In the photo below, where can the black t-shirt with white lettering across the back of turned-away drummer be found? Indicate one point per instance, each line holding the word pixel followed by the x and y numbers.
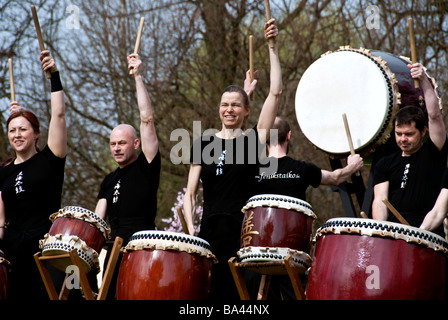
pixel 290 178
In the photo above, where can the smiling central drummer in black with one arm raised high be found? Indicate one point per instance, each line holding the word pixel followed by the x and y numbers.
pixel 226 181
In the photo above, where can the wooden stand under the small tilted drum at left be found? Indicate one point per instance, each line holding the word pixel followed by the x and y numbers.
pixel 83 280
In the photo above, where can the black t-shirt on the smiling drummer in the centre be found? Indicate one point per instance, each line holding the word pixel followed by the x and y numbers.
pixel 228 168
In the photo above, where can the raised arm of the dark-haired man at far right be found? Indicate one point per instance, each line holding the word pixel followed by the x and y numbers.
pixel 436 126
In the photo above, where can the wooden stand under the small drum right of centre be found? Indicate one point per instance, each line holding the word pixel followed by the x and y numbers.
pixel 286 266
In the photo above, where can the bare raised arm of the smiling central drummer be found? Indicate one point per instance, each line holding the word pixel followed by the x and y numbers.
pixel 270 107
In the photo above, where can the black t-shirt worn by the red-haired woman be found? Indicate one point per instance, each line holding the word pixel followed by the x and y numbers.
pixel 31 191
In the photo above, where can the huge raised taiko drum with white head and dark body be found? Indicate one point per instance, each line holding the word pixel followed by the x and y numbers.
pixel 369 86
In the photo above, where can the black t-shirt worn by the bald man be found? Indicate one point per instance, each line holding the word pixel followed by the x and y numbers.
pixel 131 192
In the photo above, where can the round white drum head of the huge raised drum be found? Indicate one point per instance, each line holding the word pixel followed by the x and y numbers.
pixel 344 82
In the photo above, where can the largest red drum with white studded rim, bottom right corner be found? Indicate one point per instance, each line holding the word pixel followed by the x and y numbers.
pixel 370 259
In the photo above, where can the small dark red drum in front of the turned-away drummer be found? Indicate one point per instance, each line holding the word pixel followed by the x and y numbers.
pixel 275 226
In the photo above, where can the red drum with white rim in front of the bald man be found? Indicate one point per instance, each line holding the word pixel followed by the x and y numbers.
pixel 162 265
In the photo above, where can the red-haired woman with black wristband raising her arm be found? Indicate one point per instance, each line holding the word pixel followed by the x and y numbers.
pixel 31 187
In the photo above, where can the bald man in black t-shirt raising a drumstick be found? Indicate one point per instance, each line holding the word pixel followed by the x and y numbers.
pixel 128 195
